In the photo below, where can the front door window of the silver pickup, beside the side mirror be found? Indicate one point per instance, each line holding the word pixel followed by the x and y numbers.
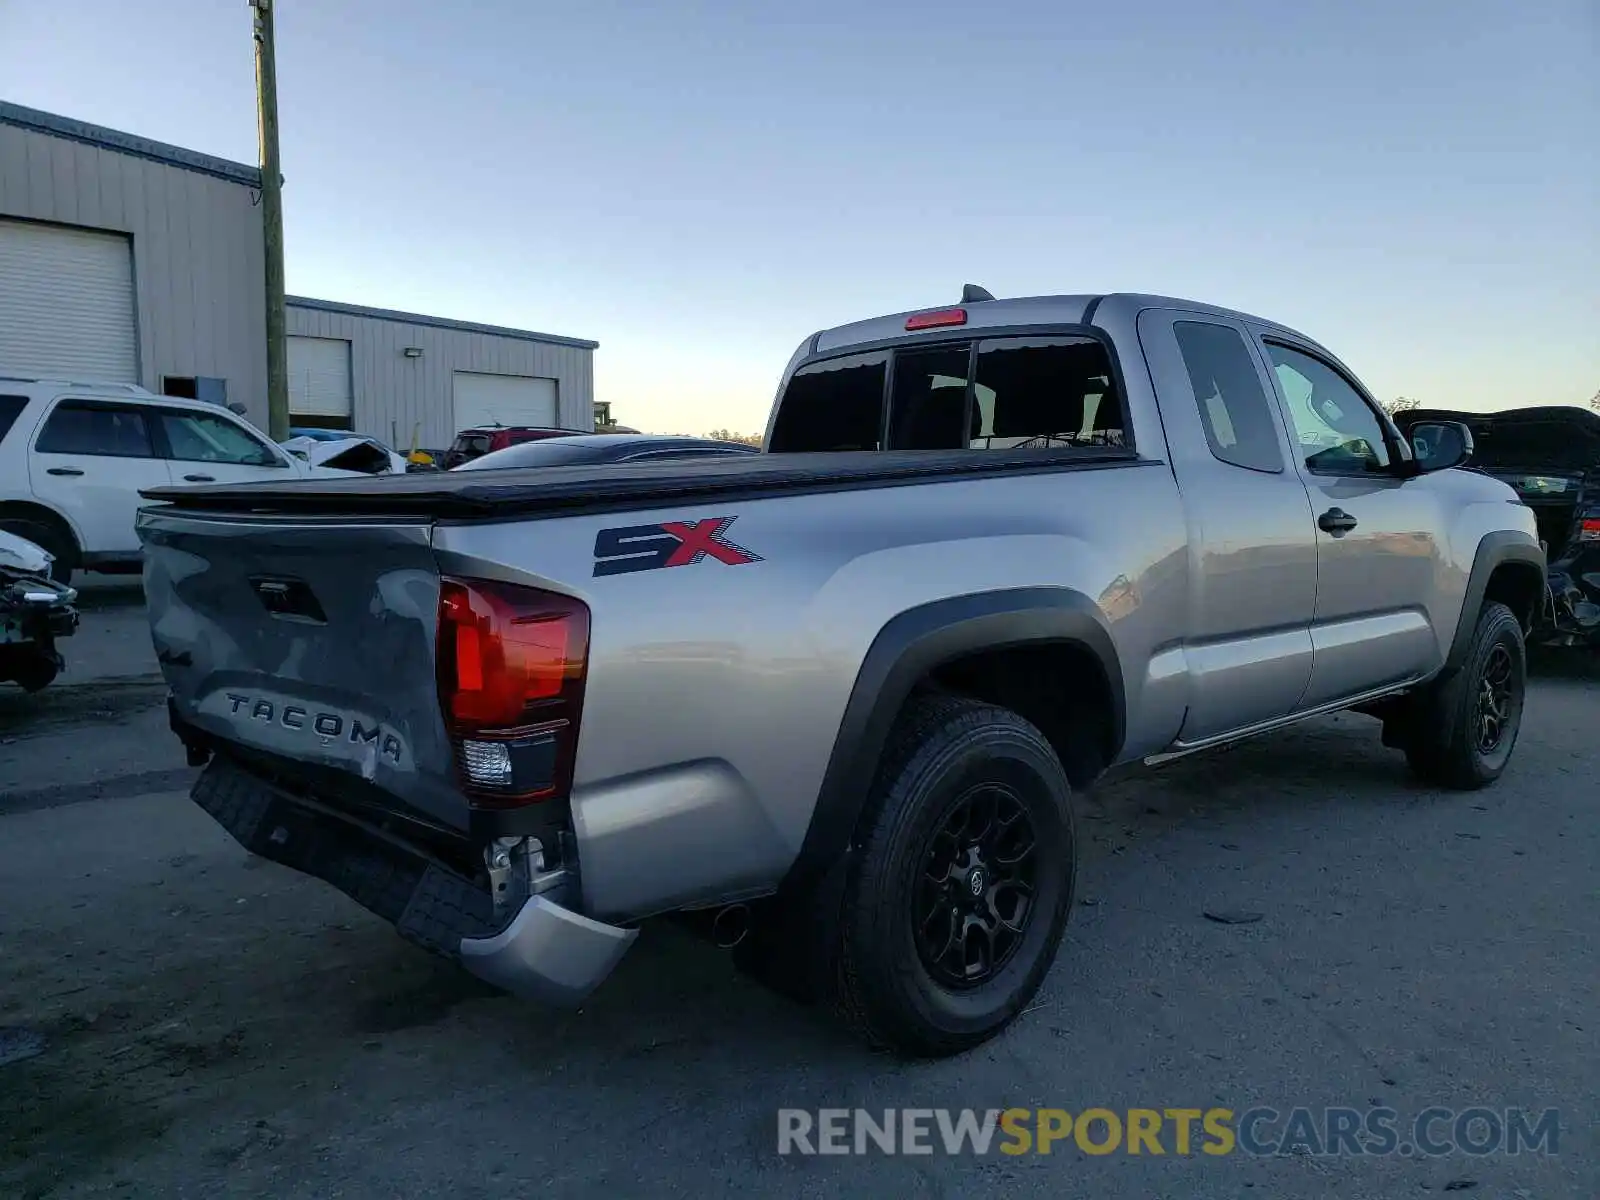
pixel 1338 431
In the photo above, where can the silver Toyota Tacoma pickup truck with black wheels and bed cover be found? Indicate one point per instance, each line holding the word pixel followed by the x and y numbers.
pixel 834 700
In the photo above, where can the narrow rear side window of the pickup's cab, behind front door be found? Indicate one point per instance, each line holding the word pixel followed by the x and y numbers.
pixel 1234 409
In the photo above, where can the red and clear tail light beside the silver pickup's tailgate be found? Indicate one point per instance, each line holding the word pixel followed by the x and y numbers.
pixel 511 670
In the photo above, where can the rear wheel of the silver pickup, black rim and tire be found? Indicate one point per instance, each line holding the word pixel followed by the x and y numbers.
pixel 964 881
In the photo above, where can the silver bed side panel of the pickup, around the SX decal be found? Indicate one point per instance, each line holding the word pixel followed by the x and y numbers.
pixel 716 692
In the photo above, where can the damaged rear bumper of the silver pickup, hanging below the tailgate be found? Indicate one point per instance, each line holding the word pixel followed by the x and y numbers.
pixel 540 951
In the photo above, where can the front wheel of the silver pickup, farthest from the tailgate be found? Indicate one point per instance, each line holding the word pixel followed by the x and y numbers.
pixel 1462 732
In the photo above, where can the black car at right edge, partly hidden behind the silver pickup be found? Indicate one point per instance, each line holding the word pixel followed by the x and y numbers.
pixel 1551 455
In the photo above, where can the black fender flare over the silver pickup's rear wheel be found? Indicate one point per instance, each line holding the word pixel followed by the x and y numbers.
pixel 903 654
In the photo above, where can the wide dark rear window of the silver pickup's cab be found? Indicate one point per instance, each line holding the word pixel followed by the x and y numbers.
pixel 1004 394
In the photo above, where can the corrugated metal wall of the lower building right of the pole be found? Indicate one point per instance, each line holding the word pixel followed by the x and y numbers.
pixel 396 396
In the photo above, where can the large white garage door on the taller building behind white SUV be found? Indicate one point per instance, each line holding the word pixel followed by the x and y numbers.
pixel 66 303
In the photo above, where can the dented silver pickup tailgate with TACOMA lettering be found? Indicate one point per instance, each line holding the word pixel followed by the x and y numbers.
pixel 308 644
